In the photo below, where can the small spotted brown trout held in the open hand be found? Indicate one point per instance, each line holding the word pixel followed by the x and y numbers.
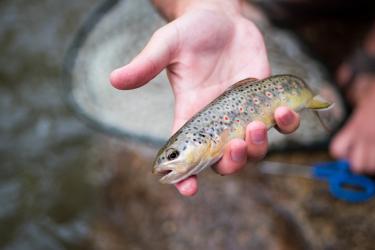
pixel 201 141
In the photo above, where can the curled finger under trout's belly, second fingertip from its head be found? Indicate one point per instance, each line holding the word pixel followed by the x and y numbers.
pixel 234 158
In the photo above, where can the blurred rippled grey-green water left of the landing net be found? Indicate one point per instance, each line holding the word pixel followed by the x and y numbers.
pixel 47 193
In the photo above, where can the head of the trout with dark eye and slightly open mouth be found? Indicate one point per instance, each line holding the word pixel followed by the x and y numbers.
pixel 182 156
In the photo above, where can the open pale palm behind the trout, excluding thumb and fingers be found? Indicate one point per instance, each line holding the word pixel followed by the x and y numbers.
pixel 217 51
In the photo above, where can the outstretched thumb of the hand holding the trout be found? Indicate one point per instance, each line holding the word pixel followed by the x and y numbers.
pixel 150 62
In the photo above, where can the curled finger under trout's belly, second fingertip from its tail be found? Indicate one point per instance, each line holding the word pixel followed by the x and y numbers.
pixel 256 140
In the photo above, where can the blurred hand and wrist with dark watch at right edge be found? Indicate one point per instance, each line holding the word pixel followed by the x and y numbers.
pixel 356 140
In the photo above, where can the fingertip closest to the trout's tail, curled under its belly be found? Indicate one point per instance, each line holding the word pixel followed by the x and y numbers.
pixel 287 121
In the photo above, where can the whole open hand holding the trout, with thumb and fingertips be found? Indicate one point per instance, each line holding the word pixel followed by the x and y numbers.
pixel 205 50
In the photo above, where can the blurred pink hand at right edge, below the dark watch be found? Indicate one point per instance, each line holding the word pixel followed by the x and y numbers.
pixel 356 140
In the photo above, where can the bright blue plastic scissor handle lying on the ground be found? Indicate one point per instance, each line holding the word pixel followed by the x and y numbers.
pixel 343 184
